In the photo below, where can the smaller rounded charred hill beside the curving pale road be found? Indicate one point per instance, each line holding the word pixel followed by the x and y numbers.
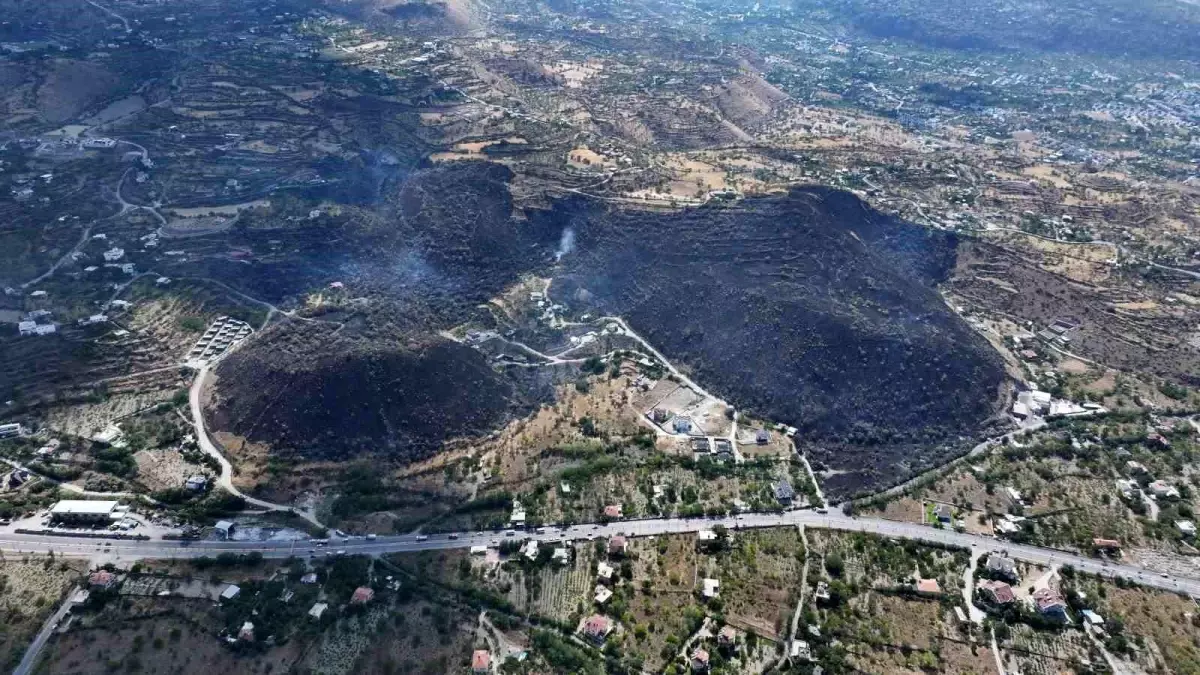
pixel 322 392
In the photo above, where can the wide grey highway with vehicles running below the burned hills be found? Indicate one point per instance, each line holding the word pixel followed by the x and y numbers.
pixel 13 543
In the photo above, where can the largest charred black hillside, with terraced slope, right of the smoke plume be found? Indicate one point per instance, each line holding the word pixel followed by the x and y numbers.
pixel 809 309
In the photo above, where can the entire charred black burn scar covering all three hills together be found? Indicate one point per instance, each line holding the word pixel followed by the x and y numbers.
pixel 808 309
